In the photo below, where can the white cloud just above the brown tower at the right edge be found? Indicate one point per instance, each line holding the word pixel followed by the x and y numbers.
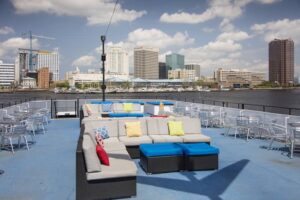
pixel 280 29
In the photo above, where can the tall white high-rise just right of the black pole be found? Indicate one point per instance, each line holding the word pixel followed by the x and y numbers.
pixel 117 61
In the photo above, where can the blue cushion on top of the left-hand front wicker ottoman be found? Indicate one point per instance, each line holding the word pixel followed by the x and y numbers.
pixel 164 149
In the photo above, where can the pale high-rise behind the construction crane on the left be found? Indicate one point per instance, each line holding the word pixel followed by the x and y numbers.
pixel 40 59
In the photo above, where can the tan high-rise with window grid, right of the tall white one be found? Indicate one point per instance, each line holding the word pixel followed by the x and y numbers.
pixel 146 63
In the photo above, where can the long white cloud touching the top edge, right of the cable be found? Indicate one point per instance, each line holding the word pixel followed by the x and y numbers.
pixel 229 9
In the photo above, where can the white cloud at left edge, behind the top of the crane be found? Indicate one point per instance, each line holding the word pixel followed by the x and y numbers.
pixel 9 48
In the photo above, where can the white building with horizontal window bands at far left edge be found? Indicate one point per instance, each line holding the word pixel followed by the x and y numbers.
pixel 7 74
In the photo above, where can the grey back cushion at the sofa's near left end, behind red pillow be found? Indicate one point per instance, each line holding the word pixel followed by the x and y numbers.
pixel 92 162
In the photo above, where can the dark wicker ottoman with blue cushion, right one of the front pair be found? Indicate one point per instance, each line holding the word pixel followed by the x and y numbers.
pixel 200 156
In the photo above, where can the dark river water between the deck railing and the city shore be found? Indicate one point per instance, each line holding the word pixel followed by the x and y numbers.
pixel 269 98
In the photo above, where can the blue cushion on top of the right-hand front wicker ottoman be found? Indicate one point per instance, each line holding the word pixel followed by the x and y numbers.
pixel 198 149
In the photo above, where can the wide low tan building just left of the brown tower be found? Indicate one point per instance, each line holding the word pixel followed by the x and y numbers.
pixel 238 78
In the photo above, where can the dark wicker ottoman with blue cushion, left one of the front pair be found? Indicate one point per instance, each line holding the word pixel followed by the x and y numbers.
pixel 160 158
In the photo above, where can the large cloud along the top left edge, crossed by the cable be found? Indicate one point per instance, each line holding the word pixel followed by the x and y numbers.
pixel 95 11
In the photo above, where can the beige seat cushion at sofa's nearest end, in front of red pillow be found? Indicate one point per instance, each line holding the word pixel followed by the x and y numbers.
pixel 120 165
